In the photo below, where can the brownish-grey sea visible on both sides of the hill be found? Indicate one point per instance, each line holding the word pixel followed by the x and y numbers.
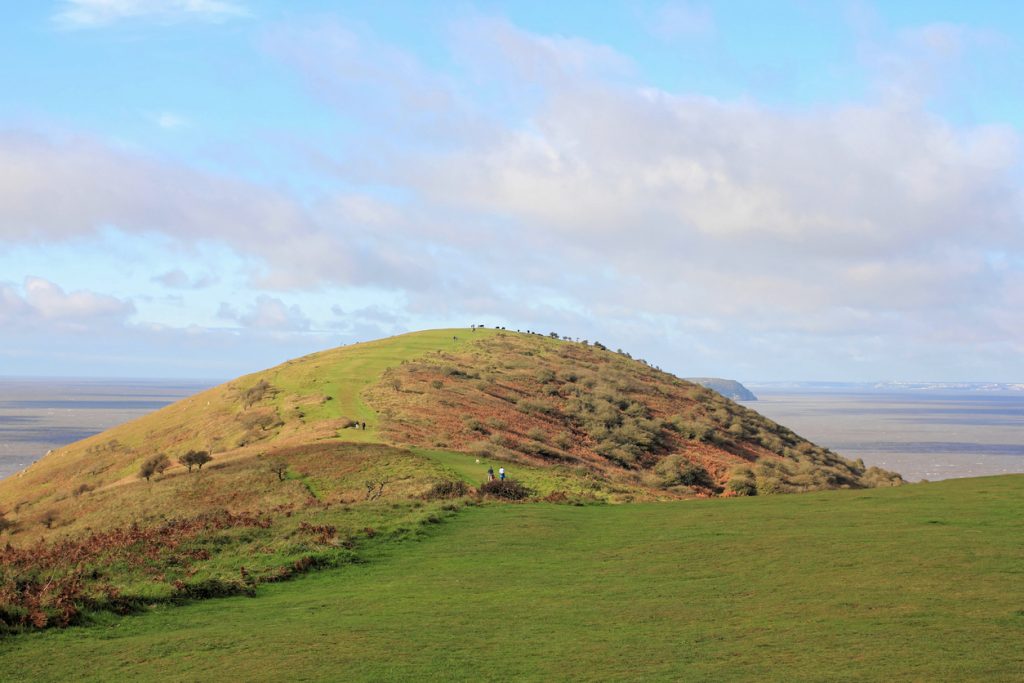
pixel 923 436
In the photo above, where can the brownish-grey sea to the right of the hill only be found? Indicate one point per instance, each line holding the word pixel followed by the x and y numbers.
pixel 921 435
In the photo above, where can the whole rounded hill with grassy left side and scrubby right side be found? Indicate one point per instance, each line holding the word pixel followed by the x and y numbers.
pixel 293 484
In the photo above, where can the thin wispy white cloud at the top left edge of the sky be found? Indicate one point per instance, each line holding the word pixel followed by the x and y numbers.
pixel 92 14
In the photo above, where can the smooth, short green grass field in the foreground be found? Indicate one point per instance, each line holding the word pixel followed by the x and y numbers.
pixel 918 583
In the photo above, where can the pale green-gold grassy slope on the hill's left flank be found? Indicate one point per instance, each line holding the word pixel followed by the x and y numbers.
pixel 95 484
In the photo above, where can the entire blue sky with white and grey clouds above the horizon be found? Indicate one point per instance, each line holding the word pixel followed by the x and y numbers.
pixel 765 192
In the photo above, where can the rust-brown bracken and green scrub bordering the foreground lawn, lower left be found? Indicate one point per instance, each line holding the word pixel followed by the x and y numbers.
pixel 211 556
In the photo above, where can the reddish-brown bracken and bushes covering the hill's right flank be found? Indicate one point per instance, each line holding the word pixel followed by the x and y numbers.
pixel 552 402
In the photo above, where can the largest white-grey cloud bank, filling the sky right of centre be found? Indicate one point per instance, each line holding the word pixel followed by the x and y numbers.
pixel 857 221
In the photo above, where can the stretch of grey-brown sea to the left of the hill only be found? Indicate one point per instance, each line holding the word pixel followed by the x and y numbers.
pixel 39 415
